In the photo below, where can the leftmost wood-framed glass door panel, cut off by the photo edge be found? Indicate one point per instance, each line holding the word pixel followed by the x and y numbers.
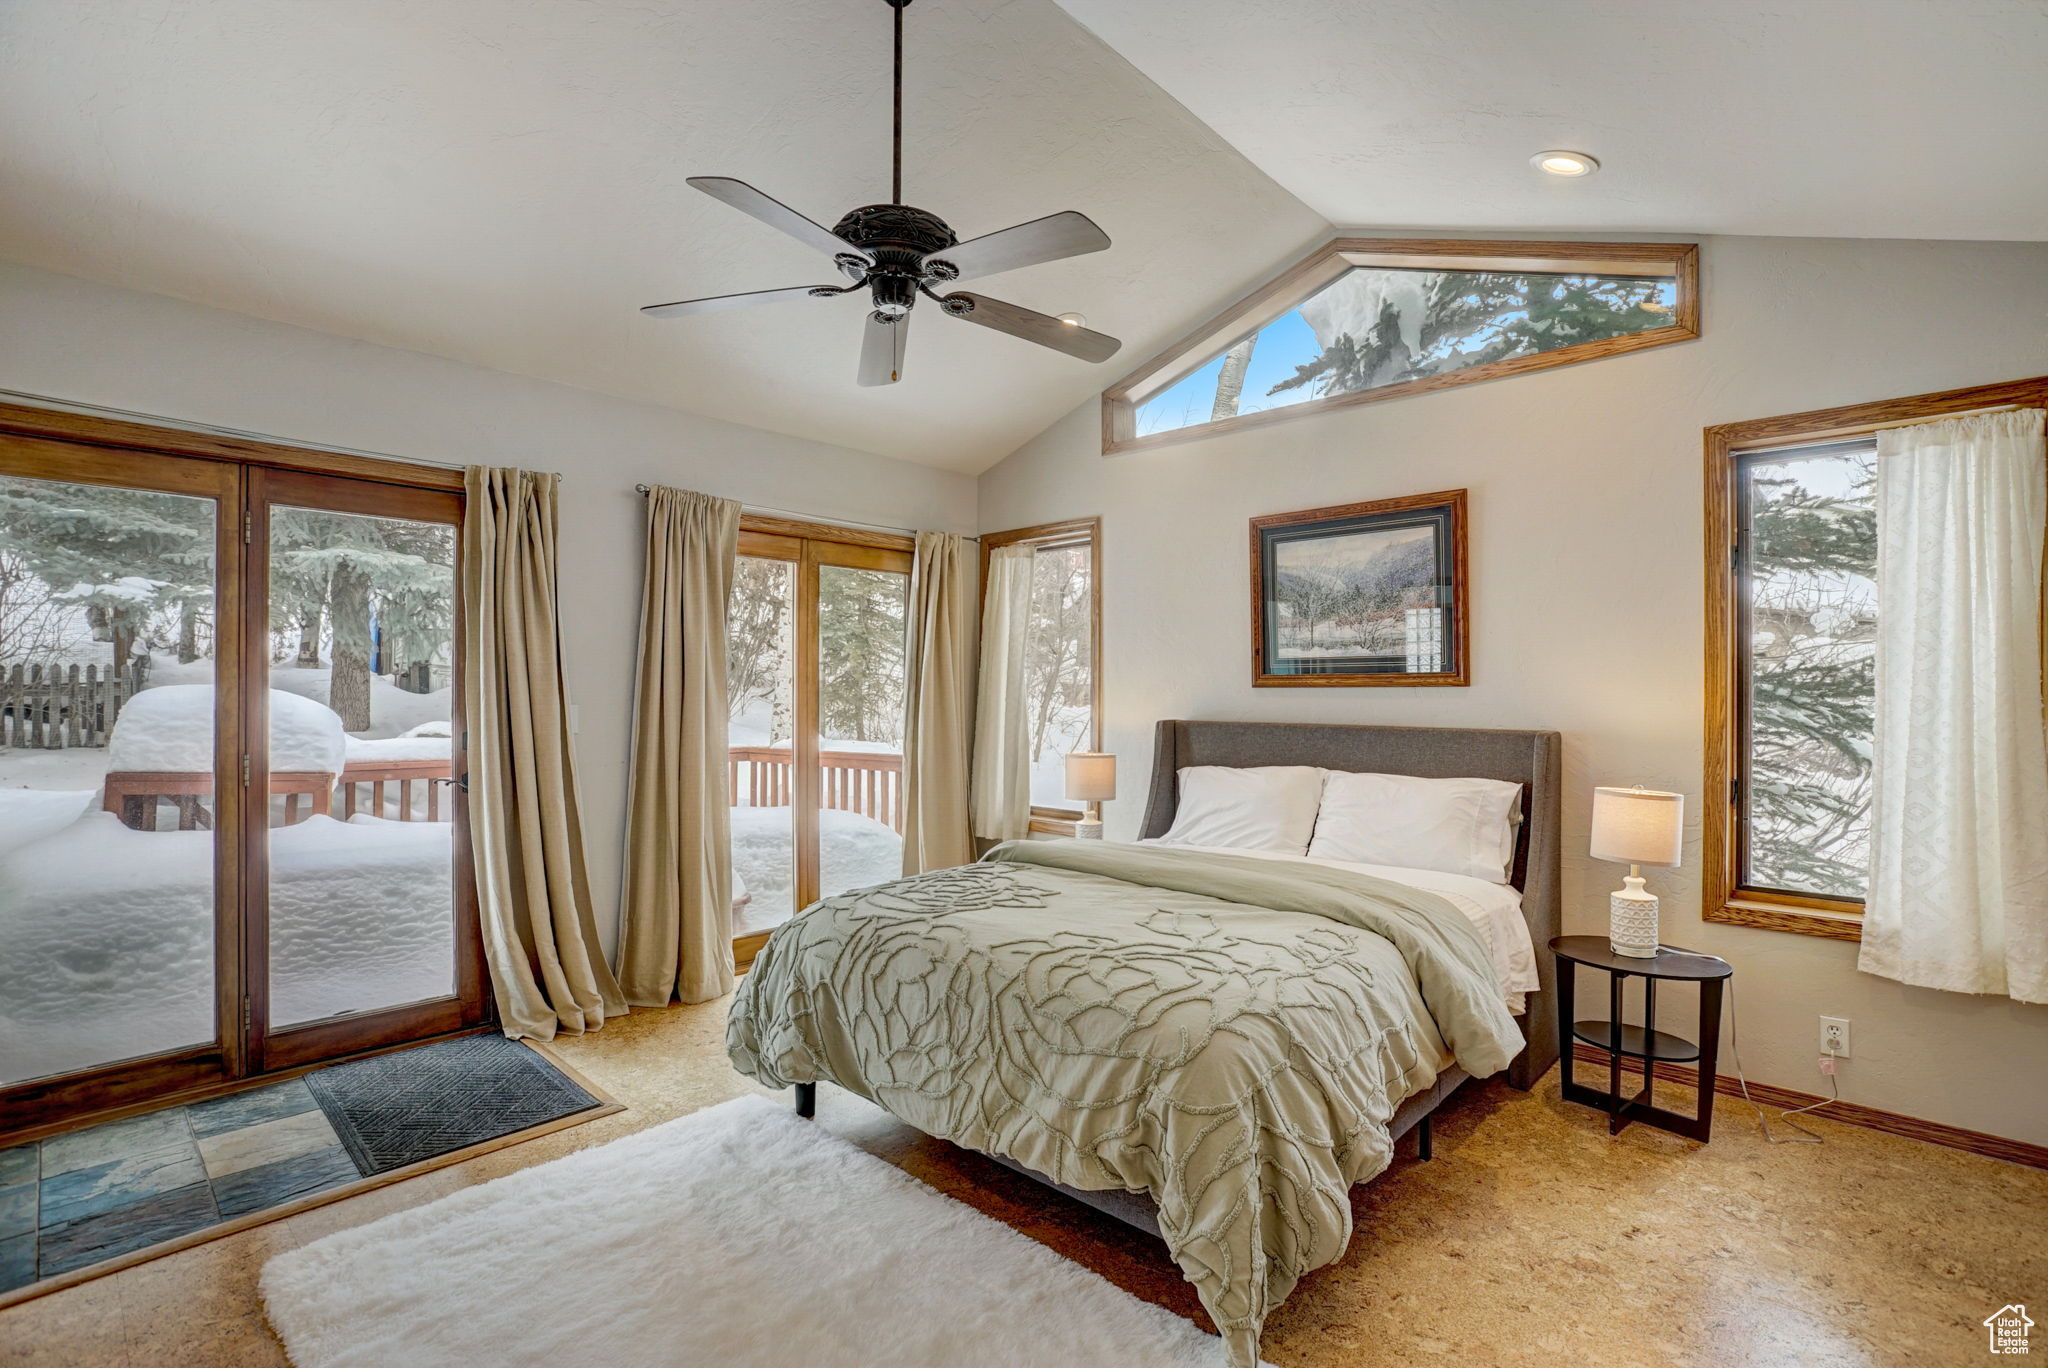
pixel 116 605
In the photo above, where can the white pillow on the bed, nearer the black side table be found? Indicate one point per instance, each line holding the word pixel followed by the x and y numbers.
pixel 1455 826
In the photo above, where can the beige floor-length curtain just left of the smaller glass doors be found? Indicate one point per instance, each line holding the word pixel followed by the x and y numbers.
pixel 679 892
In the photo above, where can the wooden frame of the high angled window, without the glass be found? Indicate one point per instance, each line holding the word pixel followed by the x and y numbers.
pixel 1265 304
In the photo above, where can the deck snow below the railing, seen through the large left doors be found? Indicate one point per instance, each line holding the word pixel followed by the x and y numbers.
pixel 110 933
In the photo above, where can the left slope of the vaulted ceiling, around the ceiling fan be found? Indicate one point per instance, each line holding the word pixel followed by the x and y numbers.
pixel 503 181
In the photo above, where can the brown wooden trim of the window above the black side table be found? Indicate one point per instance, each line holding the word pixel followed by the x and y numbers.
pixel 1721 896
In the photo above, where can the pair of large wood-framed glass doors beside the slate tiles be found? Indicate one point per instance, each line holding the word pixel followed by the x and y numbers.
pixel 230 832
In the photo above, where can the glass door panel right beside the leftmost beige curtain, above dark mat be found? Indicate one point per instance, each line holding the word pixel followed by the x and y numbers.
pixel 361 925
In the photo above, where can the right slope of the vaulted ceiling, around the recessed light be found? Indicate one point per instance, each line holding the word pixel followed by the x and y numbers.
pixel 1818 118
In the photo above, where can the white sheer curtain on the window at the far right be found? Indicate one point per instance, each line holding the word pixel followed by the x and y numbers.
pixel 1959 849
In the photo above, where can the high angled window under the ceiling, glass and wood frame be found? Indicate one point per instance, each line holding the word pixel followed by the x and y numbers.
pixel 1371 320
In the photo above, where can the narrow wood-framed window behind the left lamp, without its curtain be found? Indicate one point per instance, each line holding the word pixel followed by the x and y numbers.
pixel 1062 685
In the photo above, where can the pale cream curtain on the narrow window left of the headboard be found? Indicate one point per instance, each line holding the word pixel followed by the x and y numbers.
pixel 1002 732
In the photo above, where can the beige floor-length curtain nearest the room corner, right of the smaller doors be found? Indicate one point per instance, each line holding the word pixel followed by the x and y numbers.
pixel 939 703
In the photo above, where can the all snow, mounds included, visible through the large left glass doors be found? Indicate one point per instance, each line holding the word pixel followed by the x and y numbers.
pixel 108 933
